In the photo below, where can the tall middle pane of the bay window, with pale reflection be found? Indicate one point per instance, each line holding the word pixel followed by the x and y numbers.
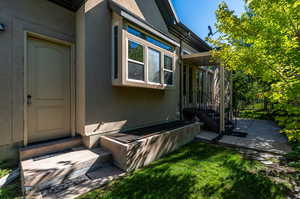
pixel 153 66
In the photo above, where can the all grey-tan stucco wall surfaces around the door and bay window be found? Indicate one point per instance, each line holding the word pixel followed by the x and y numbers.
pixel 101 102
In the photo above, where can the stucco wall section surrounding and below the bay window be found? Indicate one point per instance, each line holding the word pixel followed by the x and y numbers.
pixel 106 103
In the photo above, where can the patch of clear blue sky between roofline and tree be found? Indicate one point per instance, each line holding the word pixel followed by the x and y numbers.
pixel 199 14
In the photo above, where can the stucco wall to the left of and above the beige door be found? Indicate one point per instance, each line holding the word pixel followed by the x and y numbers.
pixel 38 16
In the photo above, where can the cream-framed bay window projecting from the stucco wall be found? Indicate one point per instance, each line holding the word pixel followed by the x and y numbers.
pixel 146 61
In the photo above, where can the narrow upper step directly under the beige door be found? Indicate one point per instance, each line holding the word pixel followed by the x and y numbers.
pixel 49 147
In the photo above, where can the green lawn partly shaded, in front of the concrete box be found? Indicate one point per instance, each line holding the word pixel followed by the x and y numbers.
pixel 196 171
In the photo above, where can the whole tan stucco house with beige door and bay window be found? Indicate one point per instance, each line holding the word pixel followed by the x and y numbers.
pixel 95 67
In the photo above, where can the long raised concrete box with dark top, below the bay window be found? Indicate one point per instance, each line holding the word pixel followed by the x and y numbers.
pixel 135 149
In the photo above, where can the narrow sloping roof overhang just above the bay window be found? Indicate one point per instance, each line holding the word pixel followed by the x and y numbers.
pixel 129 16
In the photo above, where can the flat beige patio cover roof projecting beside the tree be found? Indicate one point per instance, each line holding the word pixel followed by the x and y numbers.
pixel 200 59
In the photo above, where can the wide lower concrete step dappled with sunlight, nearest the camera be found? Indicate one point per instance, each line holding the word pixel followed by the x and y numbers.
pixel 45 171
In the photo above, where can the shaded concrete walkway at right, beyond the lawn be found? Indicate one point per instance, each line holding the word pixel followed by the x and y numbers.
pixel 263 135
